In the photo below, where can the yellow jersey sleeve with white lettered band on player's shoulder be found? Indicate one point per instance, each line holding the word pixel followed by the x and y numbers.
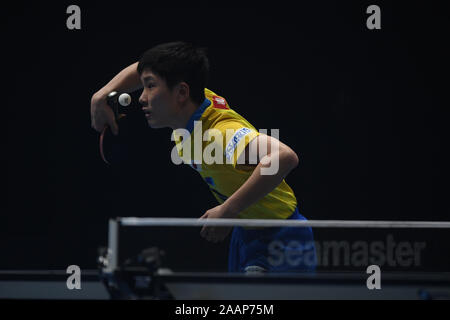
pixel 236 136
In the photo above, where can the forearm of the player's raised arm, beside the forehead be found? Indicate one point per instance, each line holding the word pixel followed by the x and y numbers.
pixel 126 80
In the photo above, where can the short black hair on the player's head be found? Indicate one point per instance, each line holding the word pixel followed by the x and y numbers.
pixel 176 62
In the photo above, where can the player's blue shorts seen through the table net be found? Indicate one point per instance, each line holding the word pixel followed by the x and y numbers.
pixel 280 249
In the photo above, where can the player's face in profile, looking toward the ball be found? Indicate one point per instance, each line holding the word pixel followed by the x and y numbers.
pixel 158 102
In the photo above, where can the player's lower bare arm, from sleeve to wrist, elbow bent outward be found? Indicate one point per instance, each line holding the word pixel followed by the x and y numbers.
pixel 274 162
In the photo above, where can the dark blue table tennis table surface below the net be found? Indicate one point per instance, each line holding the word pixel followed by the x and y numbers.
pixel 51 284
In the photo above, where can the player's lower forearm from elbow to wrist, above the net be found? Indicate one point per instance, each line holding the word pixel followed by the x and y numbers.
pixel 257 185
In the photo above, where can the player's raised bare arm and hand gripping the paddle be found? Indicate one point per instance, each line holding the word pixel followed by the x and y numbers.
pixel 126 80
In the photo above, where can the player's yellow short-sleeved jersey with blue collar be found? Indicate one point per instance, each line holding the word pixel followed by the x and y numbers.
pixel 214 138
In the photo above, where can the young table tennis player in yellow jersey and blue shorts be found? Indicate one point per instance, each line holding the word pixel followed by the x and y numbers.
pixel 174 77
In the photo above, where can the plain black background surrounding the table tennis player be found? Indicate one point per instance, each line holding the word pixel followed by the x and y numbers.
pixel 365 110
